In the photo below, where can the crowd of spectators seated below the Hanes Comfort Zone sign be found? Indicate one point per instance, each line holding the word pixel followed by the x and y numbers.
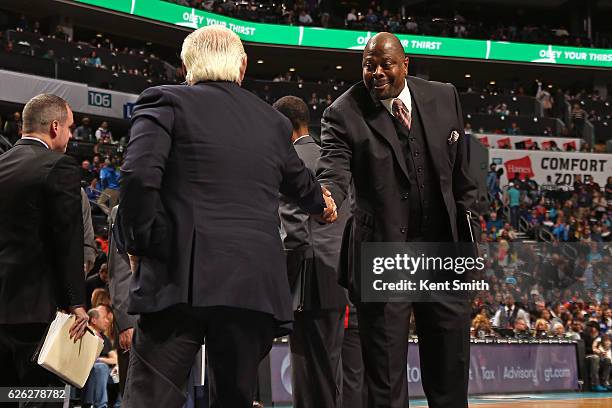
pixel 556 289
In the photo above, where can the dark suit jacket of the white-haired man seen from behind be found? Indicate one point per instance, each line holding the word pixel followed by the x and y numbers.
pixel 199 199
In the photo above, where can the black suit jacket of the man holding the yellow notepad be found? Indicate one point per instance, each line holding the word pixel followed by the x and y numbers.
pixel 41 233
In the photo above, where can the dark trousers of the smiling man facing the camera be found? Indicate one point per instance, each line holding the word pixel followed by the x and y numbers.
pixel 444 348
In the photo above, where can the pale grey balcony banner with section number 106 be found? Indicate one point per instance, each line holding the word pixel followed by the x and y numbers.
pixel 16 87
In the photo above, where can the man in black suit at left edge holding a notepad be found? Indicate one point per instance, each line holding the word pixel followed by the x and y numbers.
pixel 41 239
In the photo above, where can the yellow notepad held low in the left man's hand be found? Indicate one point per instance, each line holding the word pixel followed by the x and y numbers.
pixel 70 361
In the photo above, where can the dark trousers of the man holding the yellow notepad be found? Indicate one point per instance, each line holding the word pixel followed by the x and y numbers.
pixel 17 345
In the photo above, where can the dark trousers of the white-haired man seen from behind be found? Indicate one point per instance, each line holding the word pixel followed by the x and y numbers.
pixel 166 343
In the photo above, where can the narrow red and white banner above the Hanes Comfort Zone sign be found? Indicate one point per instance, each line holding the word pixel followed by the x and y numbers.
pixel 526 142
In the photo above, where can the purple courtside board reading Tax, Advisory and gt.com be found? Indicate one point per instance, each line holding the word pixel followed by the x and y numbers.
pixel 494 368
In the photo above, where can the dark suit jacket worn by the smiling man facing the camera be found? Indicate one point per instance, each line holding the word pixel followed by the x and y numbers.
pixel 359 142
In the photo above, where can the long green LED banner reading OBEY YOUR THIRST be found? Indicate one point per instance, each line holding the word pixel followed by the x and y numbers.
pixel 166 12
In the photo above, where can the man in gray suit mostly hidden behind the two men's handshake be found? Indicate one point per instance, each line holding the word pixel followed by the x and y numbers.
pixel 319 301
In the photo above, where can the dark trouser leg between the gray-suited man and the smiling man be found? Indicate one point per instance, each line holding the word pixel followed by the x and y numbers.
pixel 354 390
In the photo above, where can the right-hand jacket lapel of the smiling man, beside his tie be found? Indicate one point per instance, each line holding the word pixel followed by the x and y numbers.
pixel 428 112
